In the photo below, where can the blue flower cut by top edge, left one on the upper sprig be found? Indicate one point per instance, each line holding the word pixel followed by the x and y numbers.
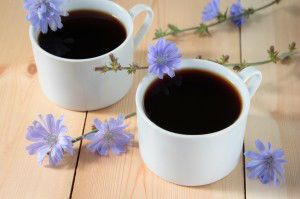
pixel 211 10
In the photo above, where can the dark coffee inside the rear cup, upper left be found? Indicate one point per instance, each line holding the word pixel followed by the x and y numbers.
pixel 85 34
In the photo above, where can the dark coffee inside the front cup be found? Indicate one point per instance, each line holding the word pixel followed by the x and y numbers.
pixel 193 102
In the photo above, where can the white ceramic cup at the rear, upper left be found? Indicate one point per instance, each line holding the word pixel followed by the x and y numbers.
pixel 73 83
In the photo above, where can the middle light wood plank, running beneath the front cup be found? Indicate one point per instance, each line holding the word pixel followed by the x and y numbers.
pixel 126 176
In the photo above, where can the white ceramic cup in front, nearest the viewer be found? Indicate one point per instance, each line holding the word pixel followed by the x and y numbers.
pixel 193 160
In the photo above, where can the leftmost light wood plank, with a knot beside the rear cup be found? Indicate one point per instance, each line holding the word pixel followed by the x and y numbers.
pixel 21 100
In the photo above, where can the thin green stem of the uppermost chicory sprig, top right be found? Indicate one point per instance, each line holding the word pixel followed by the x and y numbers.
pixel 246 12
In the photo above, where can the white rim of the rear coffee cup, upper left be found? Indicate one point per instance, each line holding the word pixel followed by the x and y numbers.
pixel 34 41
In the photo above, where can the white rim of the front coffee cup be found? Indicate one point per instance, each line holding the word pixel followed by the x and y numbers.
pixel 192 64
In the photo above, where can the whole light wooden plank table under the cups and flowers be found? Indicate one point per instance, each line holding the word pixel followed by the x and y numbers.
pixel 274 115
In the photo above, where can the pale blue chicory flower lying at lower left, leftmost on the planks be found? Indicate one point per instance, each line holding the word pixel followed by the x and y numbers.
pixel 49 137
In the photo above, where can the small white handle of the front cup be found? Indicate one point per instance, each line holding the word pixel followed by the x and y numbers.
pixel 252 78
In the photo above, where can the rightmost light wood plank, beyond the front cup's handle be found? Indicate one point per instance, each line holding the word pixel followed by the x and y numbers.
pixel 275 112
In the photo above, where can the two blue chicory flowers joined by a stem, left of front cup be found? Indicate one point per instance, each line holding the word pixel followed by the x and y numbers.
pixel 49 137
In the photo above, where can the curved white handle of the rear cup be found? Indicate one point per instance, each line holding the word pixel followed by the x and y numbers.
pixel 135 11
